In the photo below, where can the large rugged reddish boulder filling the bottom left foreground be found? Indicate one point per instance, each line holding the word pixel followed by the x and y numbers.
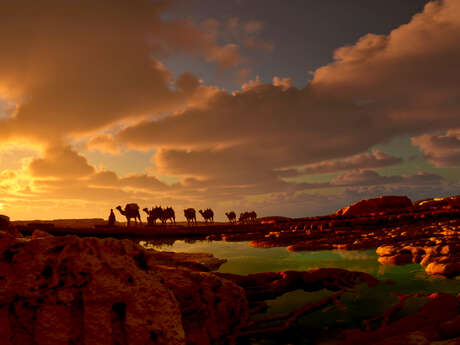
pixel 70 290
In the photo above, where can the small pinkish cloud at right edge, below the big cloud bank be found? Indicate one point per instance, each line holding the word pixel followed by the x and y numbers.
pixel 441 150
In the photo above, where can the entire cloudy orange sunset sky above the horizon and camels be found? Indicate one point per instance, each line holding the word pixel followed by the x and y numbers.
pixel 291 108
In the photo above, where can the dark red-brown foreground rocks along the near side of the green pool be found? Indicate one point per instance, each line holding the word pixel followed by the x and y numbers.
pixel 71 290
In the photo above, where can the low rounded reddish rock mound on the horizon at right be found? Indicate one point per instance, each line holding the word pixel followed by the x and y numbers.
pixel 375 205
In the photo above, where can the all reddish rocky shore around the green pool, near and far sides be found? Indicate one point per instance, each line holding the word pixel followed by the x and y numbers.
pixel 86 290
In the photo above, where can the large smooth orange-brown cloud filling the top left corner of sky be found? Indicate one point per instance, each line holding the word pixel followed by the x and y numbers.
pixel 73 77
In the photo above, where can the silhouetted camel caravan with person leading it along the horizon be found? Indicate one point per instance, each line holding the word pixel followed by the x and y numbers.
pixel 163 215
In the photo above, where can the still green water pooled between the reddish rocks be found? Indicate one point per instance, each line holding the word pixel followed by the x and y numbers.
pixel 324 326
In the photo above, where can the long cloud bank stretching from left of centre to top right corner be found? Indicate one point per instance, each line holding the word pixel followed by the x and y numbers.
pixel 375 90
